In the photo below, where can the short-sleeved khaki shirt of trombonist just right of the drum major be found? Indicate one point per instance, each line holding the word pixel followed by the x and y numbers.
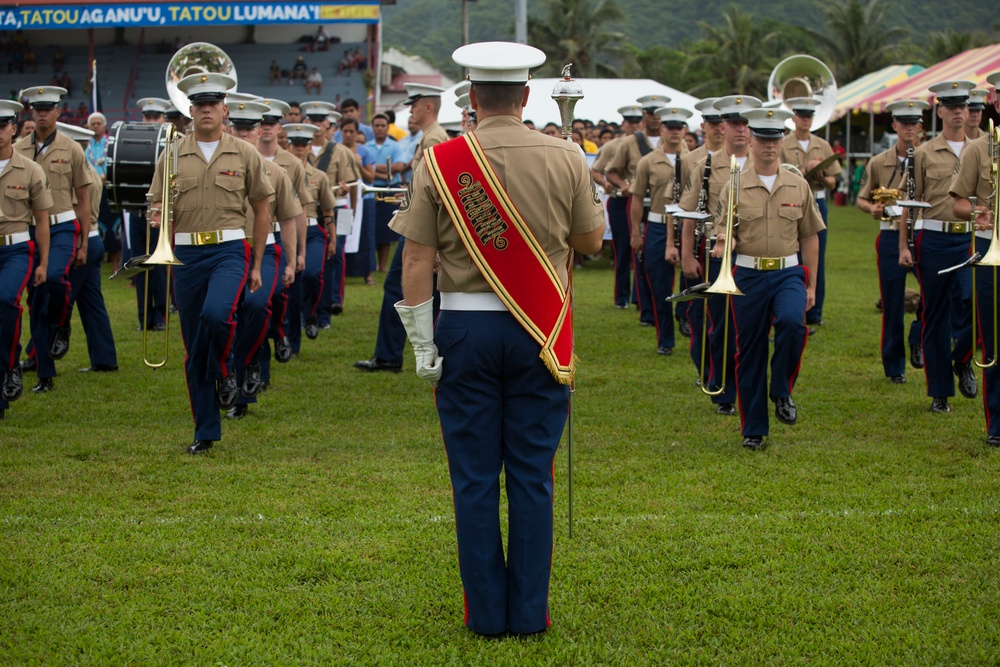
pixel 771 223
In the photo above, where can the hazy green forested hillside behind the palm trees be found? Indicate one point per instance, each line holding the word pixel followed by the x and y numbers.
pixel 432 28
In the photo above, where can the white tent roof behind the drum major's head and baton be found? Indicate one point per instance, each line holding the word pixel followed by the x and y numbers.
pixel 601 100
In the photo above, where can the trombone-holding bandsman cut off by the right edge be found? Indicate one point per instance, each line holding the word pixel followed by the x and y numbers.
pixel 973 179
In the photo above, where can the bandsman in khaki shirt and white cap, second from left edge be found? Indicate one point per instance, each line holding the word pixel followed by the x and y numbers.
pixel 65 167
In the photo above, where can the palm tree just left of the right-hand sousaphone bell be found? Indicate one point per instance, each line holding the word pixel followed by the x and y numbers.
pixel 742 59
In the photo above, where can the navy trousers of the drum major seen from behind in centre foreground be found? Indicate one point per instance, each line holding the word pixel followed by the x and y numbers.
pixel 500 409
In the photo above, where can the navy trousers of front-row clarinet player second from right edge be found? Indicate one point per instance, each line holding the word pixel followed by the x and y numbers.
pixel 936 251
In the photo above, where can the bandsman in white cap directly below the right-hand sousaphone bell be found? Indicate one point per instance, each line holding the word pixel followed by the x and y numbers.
pixel 806 150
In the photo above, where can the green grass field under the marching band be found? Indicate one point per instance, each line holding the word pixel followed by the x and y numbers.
pixel 320 529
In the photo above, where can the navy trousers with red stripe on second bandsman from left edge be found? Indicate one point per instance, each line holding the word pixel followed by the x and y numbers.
pixel 49 304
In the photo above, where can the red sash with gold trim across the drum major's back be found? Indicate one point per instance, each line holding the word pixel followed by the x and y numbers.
pixel 504 249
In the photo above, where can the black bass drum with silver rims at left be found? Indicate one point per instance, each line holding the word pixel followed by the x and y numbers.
pixel 133 149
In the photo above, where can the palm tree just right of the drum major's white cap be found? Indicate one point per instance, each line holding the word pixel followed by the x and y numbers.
pixel 575 31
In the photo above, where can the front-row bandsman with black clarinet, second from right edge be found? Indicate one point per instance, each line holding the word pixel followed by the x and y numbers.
pixel 943 242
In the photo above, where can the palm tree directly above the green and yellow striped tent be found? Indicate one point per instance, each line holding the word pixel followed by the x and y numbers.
pixel 858 39
